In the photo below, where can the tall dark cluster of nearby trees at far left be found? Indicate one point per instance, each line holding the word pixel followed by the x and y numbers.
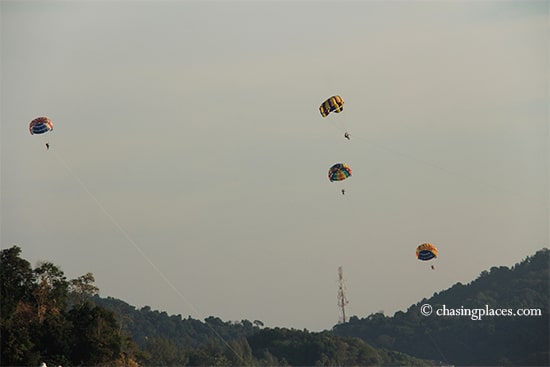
pixel 41 320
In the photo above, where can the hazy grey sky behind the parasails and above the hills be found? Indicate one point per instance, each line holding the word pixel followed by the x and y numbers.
pixel 188 162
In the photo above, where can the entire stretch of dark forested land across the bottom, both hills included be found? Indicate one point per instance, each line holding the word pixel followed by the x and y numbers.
pixel 45 317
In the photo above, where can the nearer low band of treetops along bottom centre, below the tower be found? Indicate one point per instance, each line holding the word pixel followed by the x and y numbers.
pixel 278 347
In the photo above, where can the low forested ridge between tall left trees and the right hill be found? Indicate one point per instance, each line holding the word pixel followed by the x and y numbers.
pixel 173 340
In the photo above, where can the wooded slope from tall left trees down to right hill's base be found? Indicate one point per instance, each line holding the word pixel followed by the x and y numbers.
pixel 45 317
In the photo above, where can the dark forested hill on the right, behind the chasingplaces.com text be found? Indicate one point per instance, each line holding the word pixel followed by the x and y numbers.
pixel 474 324
